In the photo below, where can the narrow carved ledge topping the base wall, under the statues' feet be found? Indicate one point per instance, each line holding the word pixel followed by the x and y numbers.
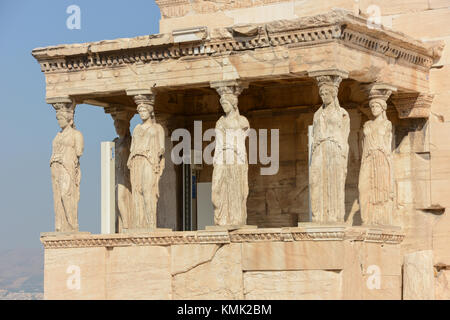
pixel 304 233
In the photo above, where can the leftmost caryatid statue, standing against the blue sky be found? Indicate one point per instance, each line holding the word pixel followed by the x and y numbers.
pixel 67 149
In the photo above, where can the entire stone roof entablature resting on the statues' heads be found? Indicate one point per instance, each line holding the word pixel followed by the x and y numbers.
pixel 337 40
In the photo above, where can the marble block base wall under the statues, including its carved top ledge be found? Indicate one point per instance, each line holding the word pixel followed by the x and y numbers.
pixel 292 263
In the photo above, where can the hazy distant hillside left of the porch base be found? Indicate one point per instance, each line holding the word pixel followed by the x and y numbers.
pixel 21 273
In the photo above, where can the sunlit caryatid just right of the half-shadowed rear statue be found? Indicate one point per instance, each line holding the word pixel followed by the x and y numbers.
pixel 146 164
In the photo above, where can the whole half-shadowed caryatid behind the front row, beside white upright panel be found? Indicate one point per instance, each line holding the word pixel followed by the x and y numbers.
pixel 123 183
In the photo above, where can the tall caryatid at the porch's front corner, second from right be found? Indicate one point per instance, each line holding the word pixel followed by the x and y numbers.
pixel 328 170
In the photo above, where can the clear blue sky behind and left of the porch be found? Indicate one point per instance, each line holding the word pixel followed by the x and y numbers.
pixel 28 124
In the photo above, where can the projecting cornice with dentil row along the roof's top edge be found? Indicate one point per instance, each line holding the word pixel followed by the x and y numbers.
pixel 336 26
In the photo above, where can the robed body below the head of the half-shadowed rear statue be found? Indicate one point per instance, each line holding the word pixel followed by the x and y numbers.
pixel 123 183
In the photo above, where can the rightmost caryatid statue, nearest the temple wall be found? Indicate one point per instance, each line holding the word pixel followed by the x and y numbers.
pixel 376 179
